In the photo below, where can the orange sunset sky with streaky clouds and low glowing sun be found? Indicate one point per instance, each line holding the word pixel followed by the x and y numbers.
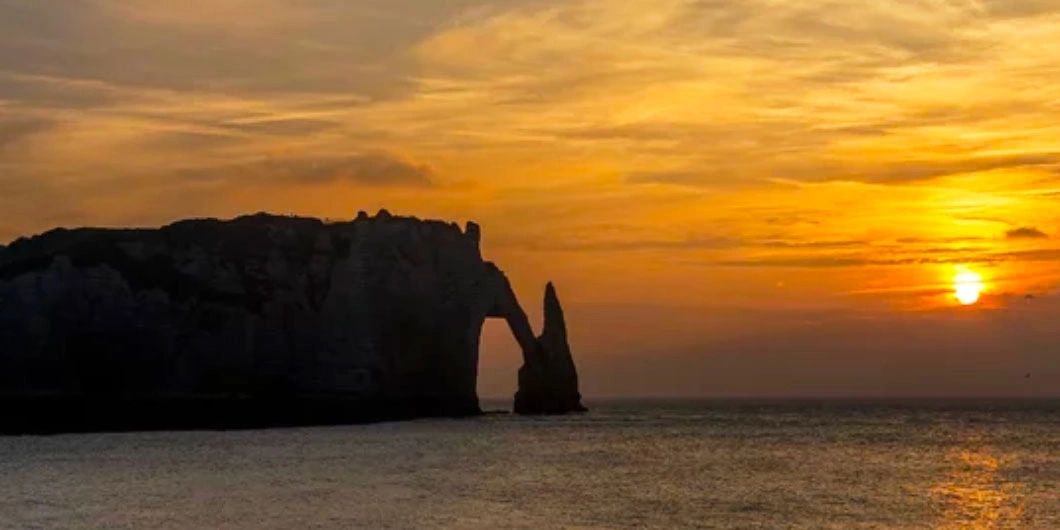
pixel 735 198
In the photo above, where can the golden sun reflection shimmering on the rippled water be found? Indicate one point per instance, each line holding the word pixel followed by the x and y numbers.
pixel 975 493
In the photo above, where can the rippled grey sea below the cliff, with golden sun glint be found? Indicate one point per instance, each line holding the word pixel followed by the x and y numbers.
pixel 626 465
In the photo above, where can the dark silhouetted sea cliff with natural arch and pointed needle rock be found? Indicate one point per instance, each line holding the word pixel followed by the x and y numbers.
pixel 260 321
